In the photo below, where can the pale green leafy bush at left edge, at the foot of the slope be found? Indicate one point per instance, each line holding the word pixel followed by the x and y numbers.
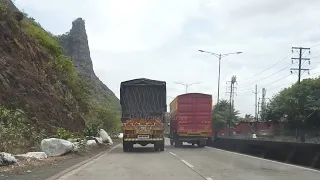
pixel 16 133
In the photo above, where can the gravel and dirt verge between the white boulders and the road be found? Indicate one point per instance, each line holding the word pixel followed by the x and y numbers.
pixel 41 170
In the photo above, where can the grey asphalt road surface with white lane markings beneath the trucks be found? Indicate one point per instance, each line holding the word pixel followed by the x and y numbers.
pixel 186 163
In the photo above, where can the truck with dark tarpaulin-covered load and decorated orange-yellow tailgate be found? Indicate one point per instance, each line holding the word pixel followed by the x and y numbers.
pixel 144 104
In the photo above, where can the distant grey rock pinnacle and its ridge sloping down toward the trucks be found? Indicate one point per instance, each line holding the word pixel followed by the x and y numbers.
pixel 75 45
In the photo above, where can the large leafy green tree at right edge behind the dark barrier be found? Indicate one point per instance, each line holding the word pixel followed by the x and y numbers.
pixel 297 105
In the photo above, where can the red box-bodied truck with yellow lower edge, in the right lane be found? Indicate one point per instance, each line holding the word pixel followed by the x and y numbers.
pixel 191 119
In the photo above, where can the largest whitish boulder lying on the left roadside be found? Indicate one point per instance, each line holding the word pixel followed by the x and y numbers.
pixel 56 147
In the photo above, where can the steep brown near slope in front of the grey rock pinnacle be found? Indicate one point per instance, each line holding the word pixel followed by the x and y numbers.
pixel 28 78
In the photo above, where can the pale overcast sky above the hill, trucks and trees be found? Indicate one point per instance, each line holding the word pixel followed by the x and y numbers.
pixel 159 39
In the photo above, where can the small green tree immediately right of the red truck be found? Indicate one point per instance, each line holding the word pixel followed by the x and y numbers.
pixel 221 115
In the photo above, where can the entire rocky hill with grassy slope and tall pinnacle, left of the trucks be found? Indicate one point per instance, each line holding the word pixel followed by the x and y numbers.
pixel 43 85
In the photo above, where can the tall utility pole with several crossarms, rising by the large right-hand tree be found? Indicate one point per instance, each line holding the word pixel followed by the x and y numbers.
pixel 300 105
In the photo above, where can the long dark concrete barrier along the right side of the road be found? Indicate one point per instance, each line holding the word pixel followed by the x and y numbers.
pixel 304 154
